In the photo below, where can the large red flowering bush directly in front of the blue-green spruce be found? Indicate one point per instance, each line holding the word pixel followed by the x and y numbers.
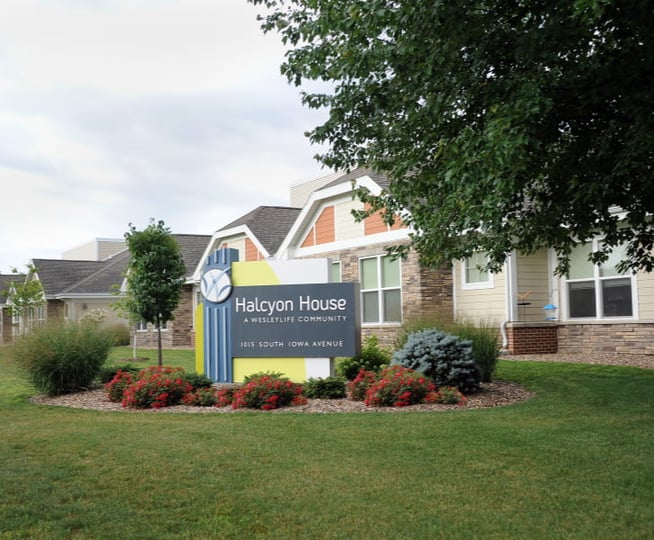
pixel 398 386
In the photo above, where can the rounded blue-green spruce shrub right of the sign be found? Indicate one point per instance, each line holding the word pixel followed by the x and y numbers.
pixel 442 357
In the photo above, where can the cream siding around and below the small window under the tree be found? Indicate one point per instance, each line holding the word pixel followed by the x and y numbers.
pixel 480 305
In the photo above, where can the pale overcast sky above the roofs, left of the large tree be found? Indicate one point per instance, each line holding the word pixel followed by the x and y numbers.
pixel 117 111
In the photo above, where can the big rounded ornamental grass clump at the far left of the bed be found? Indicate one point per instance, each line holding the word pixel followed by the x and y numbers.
pixel 66 358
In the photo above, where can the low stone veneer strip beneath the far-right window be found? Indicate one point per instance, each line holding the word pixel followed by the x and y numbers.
pixel 602 338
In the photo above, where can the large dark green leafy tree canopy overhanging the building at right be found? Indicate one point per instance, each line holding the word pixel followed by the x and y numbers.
pixel 502 125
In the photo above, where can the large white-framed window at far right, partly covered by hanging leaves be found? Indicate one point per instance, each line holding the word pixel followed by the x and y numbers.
pixel 597 291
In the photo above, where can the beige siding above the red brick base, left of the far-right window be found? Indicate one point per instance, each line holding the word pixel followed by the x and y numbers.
pixel 533 282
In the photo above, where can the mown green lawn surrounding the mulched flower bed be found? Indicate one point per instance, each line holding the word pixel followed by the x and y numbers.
pixel 573 462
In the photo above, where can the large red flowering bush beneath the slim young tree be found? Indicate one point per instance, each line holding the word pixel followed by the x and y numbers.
pixel 156 387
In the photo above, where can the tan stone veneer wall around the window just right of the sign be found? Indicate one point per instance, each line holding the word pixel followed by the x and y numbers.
pixel 424 291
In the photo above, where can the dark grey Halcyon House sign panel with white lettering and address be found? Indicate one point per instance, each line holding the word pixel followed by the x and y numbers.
pixel 304 320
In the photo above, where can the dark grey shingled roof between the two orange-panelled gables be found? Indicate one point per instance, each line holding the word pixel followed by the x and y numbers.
pixel 269 224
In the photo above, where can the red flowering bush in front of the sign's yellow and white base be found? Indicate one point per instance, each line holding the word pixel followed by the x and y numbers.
pixel 266 392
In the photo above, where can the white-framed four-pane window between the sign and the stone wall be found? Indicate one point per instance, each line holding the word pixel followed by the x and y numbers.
pixel 381 298
